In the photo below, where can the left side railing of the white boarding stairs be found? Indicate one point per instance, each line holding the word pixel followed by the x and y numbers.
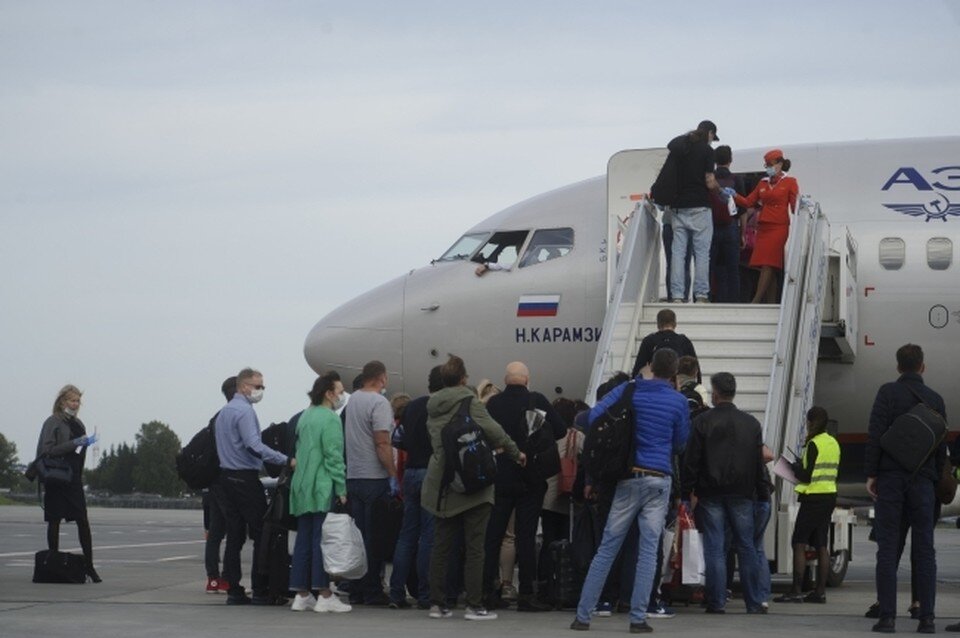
pixel 631 283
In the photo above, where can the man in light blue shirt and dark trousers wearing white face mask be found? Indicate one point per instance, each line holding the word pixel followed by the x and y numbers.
pixel 238 488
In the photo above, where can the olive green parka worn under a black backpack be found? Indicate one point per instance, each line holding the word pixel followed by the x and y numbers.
pixel 440 409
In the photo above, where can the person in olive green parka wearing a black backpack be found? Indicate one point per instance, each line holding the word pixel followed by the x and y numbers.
pixel 450 489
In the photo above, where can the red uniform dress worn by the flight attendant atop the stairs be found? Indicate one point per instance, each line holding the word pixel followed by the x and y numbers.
pixel 776 197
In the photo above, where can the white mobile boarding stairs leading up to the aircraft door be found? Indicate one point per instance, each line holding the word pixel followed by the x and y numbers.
pixel 771 349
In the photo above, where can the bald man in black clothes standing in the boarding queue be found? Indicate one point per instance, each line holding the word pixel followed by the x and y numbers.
pixel 517 488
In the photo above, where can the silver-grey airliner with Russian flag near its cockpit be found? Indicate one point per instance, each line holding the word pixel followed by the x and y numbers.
pixel 544 301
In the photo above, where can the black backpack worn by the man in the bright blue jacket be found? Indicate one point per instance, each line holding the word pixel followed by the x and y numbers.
pixel 609 445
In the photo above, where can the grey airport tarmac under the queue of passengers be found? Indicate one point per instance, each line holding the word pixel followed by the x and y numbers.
pixel 151 562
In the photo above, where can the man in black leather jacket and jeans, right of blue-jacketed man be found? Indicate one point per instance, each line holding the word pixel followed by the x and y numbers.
pixel 723 465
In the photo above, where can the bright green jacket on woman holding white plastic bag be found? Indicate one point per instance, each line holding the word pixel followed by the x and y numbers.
pixel 320 473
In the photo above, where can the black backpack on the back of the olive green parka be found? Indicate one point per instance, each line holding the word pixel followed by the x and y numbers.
pixel 469 464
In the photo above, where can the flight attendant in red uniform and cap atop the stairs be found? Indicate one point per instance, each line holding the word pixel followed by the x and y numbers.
pixel 776 194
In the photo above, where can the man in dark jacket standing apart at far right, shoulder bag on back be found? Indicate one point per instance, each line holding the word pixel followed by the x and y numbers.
pixel 901 494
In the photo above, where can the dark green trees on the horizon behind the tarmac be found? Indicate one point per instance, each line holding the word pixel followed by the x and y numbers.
pixel 147 466
